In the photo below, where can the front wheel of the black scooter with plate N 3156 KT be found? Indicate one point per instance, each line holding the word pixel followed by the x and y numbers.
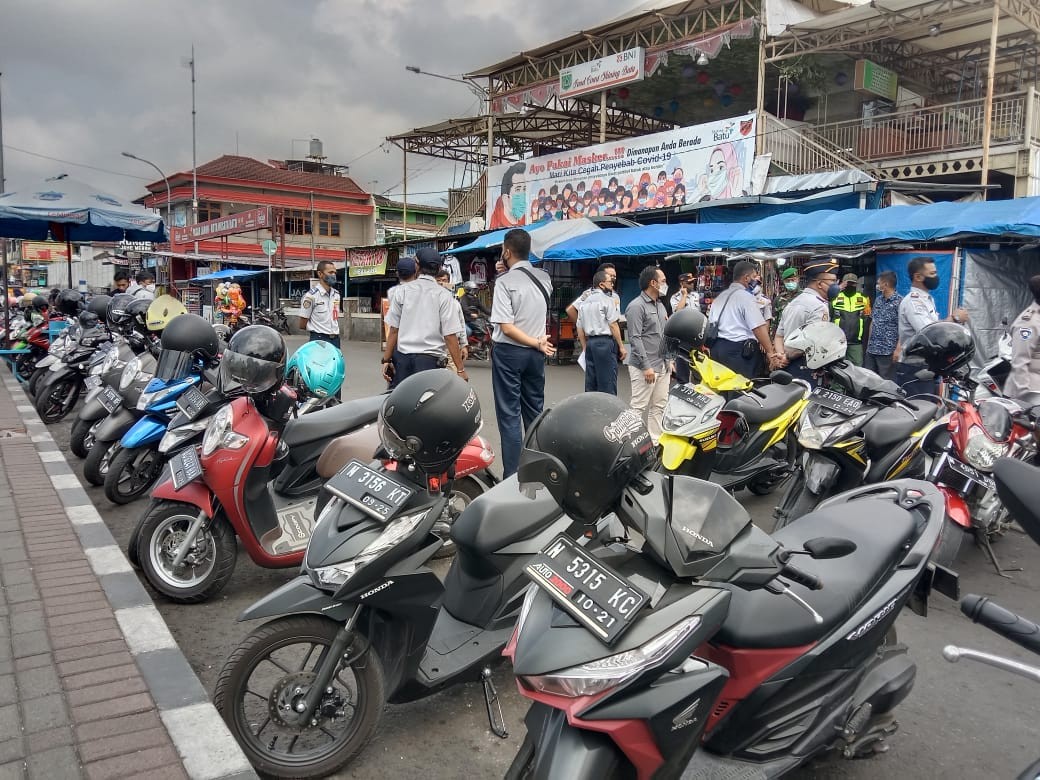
pixel 272 671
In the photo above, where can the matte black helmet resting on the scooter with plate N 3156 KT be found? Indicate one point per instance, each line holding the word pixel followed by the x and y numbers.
pixel 429 419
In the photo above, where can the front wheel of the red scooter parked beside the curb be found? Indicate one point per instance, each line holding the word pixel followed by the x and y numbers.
pixel 157 538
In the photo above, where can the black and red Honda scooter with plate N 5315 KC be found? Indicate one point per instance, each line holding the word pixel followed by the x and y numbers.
pixel 708 653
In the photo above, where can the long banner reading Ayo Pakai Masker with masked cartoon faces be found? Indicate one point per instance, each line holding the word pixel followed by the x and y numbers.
pixel 703 163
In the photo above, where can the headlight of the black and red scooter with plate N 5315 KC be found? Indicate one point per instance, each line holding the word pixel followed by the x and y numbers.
pixel 597 677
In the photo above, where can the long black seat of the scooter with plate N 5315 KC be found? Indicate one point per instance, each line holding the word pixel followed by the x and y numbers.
pixel 881 531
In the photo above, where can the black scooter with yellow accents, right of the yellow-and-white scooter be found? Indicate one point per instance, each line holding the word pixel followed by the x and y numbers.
pixel 859 429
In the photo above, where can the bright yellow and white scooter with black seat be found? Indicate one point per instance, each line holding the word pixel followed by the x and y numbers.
pixel 747 441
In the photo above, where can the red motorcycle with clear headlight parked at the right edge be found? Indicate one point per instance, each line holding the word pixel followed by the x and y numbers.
pixel 976 435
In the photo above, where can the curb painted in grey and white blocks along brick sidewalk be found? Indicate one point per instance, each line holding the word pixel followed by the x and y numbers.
pixel 206 747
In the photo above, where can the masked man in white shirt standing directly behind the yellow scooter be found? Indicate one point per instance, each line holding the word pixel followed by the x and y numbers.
pixel 744 333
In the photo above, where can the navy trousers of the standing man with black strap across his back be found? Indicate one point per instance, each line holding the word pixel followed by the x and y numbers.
pixel 518 381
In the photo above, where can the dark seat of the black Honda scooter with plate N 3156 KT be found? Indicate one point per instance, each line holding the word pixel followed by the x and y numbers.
pixel 503 516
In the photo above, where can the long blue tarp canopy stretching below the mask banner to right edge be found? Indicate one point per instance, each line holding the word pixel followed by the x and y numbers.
pixel 1020 218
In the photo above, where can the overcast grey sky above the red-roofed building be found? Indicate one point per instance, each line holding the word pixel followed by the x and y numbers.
pixel 84 82
